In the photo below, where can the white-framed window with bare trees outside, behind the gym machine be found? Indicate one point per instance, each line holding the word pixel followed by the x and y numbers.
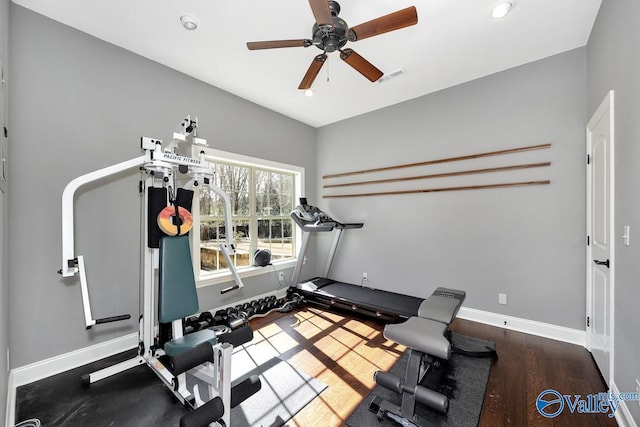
pixel 262 194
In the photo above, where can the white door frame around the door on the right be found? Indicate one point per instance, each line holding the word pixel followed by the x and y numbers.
pixel 606 107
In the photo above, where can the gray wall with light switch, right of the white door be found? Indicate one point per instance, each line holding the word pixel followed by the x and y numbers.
pixel 614 63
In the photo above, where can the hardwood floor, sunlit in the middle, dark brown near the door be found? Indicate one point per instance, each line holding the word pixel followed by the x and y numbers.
pixel 343 352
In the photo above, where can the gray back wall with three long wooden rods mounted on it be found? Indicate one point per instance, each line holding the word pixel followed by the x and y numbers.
pixel 527 242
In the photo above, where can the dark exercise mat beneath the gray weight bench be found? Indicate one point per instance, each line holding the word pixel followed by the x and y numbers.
pixel 462 379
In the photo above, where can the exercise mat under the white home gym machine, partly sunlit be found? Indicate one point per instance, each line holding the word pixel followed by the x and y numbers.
pixel 137 397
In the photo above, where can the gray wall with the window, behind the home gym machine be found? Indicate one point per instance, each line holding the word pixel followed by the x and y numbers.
pixel 79 104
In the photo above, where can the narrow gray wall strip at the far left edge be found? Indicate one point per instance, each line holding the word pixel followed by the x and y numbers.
pixel 4 282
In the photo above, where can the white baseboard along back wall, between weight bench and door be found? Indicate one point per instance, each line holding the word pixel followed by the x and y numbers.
pixel 546 330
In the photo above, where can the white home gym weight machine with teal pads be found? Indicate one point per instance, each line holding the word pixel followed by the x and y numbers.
pixel 210 362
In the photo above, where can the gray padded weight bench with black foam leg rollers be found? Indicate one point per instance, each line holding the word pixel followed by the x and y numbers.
pixel 428 339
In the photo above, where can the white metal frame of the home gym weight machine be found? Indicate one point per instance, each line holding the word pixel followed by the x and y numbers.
pixel 158 166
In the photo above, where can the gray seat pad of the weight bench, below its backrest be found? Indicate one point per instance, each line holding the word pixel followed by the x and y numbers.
pixel 425 335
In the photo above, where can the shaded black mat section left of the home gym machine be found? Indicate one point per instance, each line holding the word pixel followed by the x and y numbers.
pixel 134 398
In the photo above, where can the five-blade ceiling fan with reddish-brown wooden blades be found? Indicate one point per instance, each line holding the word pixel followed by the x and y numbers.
pixel 331 33
